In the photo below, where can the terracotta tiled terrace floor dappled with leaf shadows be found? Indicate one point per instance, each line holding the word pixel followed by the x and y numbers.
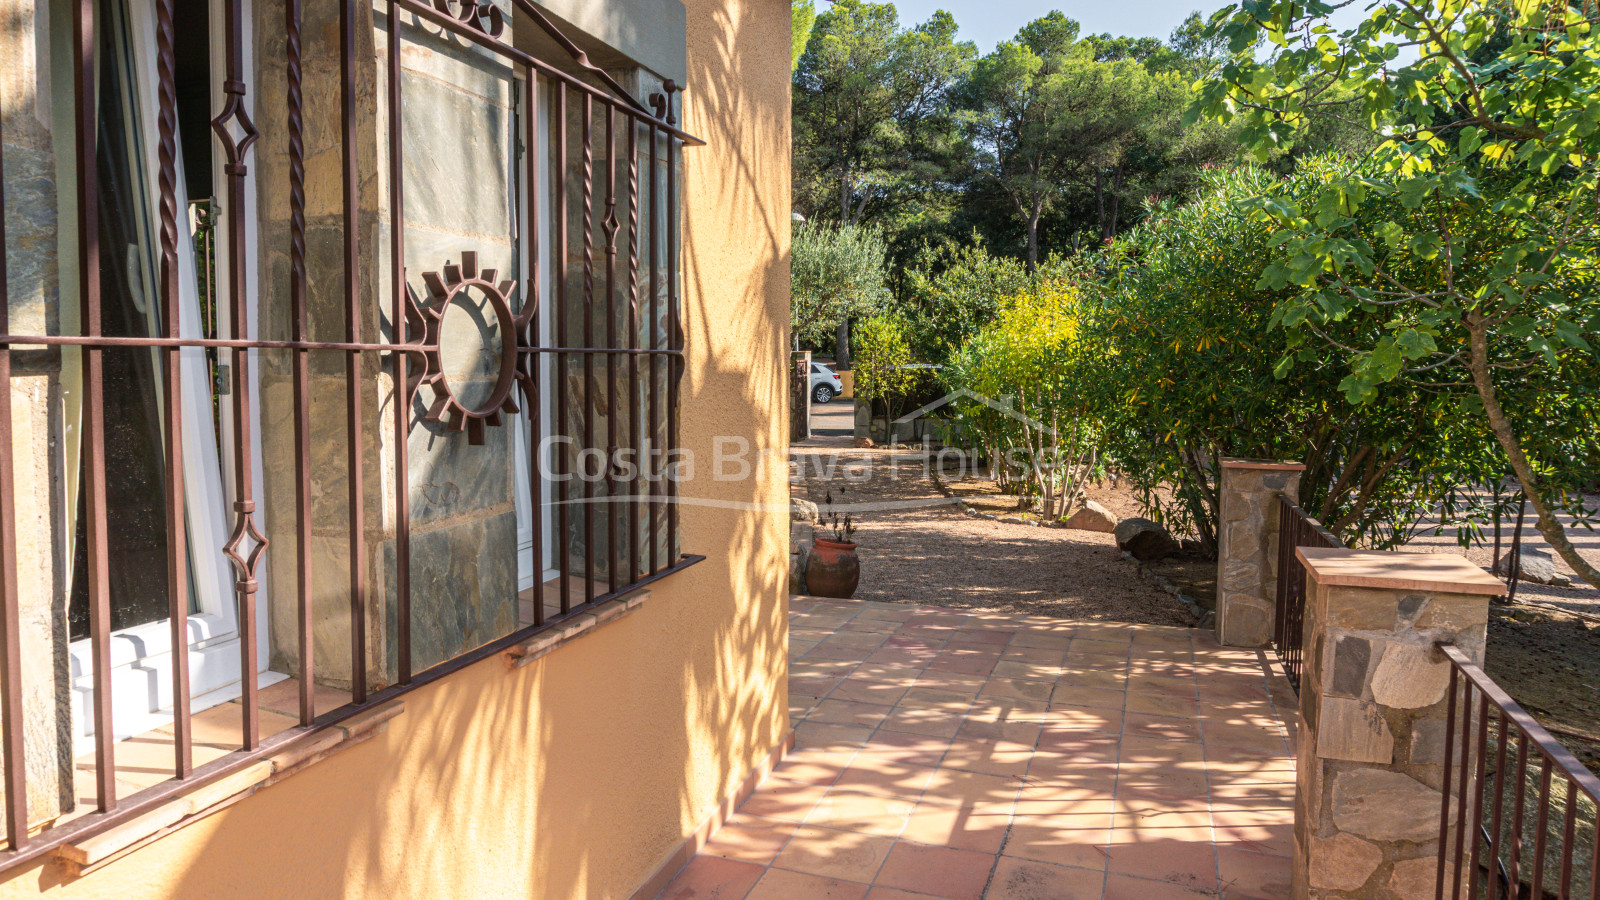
pixel 945 753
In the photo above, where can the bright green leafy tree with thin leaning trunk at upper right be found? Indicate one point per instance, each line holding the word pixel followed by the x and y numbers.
pixel 1465 255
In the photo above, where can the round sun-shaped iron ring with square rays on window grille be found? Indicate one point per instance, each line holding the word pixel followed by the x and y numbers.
pixel 442 291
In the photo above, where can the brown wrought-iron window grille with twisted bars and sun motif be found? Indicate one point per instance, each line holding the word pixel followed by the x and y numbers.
pixel 414 355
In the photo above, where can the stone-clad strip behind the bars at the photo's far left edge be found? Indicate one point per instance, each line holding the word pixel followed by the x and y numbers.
pixel 41 228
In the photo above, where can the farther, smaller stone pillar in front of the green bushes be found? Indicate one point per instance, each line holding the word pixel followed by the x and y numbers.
pixel 1247 548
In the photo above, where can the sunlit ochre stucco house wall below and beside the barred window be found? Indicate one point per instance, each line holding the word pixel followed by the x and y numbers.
pixel 582 773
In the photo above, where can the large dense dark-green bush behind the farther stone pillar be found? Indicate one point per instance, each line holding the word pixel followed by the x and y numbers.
pixel 1194 366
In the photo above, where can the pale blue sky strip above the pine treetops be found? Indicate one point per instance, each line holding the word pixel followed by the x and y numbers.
pixel 991 22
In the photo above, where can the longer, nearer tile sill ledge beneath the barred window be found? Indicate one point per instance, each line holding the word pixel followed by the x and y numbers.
pixel 97 851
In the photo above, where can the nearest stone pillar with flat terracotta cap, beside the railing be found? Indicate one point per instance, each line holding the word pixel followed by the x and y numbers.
pixel 1374 705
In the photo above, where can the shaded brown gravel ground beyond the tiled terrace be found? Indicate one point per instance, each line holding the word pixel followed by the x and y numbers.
pixel 918 547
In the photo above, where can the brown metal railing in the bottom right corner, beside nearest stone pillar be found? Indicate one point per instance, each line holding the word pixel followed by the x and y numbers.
pixel 1518 811
